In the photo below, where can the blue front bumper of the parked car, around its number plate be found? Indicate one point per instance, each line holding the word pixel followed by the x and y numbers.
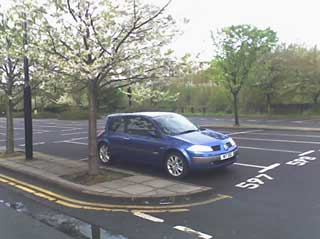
pixel 199 162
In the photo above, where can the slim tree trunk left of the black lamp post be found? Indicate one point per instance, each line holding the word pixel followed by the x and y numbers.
pixel 10 128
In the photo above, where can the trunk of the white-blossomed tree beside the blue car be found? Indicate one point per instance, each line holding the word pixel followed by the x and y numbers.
pixel 92 127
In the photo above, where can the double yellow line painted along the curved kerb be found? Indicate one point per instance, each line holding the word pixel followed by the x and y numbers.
pixel 79 204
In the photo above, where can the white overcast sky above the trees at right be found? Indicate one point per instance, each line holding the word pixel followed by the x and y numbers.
pixel 295 21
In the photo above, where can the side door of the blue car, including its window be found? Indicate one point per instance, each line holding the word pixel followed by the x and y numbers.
pixel 145 142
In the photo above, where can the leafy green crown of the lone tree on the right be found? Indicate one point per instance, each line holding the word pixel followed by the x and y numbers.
pixel 238 48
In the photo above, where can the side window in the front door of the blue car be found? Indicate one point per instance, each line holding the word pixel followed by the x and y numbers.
pixel 140 126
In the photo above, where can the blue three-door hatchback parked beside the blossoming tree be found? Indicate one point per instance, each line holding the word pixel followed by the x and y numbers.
pixel 168 140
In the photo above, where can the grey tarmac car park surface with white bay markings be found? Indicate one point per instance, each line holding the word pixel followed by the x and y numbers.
pixel 274 187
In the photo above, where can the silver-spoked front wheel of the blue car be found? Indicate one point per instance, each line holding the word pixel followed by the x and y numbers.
pixel 176 165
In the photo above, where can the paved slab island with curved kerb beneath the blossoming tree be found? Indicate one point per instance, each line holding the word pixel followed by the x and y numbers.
pixel 132 186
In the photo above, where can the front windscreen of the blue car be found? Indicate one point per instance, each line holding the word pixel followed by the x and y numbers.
pixel 175 124
